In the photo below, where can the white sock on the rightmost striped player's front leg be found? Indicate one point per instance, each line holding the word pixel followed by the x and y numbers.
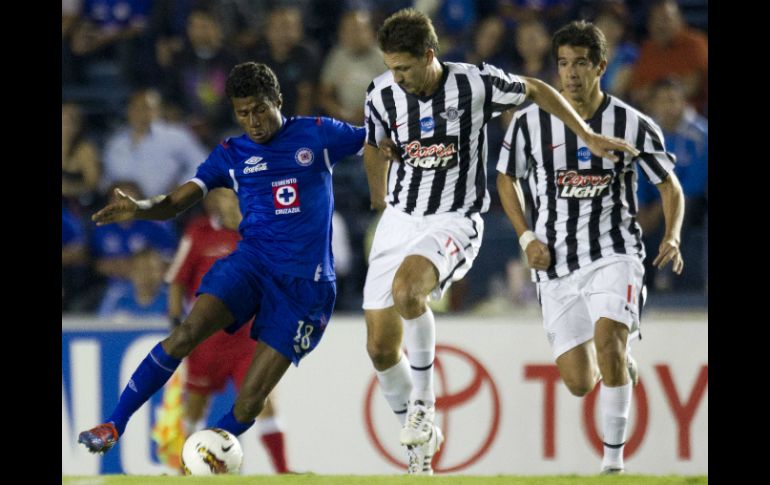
pixel 614 404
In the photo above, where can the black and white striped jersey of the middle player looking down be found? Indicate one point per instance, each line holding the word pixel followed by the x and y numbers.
pixel 442 138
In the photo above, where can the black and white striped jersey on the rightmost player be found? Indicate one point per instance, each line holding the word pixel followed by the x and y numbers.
pixel 585 206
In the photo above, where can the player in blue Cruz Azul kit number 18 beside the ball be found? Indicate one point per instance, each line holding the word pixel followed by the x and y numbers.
pixel 281 273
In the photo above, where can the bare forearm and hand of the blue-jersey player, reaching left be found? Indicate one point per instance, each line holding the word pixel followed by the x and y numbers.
pixel 160 207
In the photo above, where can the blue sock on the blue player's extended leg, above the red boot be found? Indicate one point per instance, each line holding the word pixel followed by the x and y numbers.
pixel 150 376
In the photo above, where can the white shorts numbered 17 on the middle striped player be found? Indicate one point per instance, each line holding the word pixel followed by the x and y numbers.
pixel 450 241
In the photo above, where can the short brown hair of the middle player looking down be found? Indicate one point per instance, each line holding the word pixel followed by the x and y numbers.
pixel 408 30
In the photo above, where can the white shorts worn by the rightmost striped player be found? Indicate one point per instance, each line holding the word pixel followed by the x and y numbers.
pixel 612 287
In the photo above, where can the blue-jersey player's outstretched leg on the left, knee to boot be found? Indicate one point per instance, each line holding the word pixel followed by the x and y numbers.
pixel 208 315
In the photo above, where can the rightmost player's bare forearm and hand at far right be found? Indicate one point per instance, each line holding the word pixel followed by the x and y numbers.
pixel 672 200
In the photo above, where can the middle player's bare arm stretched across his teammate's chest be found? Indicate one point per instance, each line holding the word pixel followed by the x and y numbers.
pixel 551 101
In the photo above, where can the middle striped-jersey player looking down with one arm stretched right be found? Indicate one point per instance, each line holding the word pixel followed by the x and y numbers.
pixel 425 160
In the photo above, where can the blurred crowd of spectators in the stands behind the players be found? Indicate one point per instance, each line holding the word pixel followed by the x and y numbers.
pixel 143 103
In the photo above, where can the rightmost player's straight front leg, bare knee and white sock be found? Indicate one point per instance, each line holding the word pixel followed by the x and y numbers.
pixel 611 338
